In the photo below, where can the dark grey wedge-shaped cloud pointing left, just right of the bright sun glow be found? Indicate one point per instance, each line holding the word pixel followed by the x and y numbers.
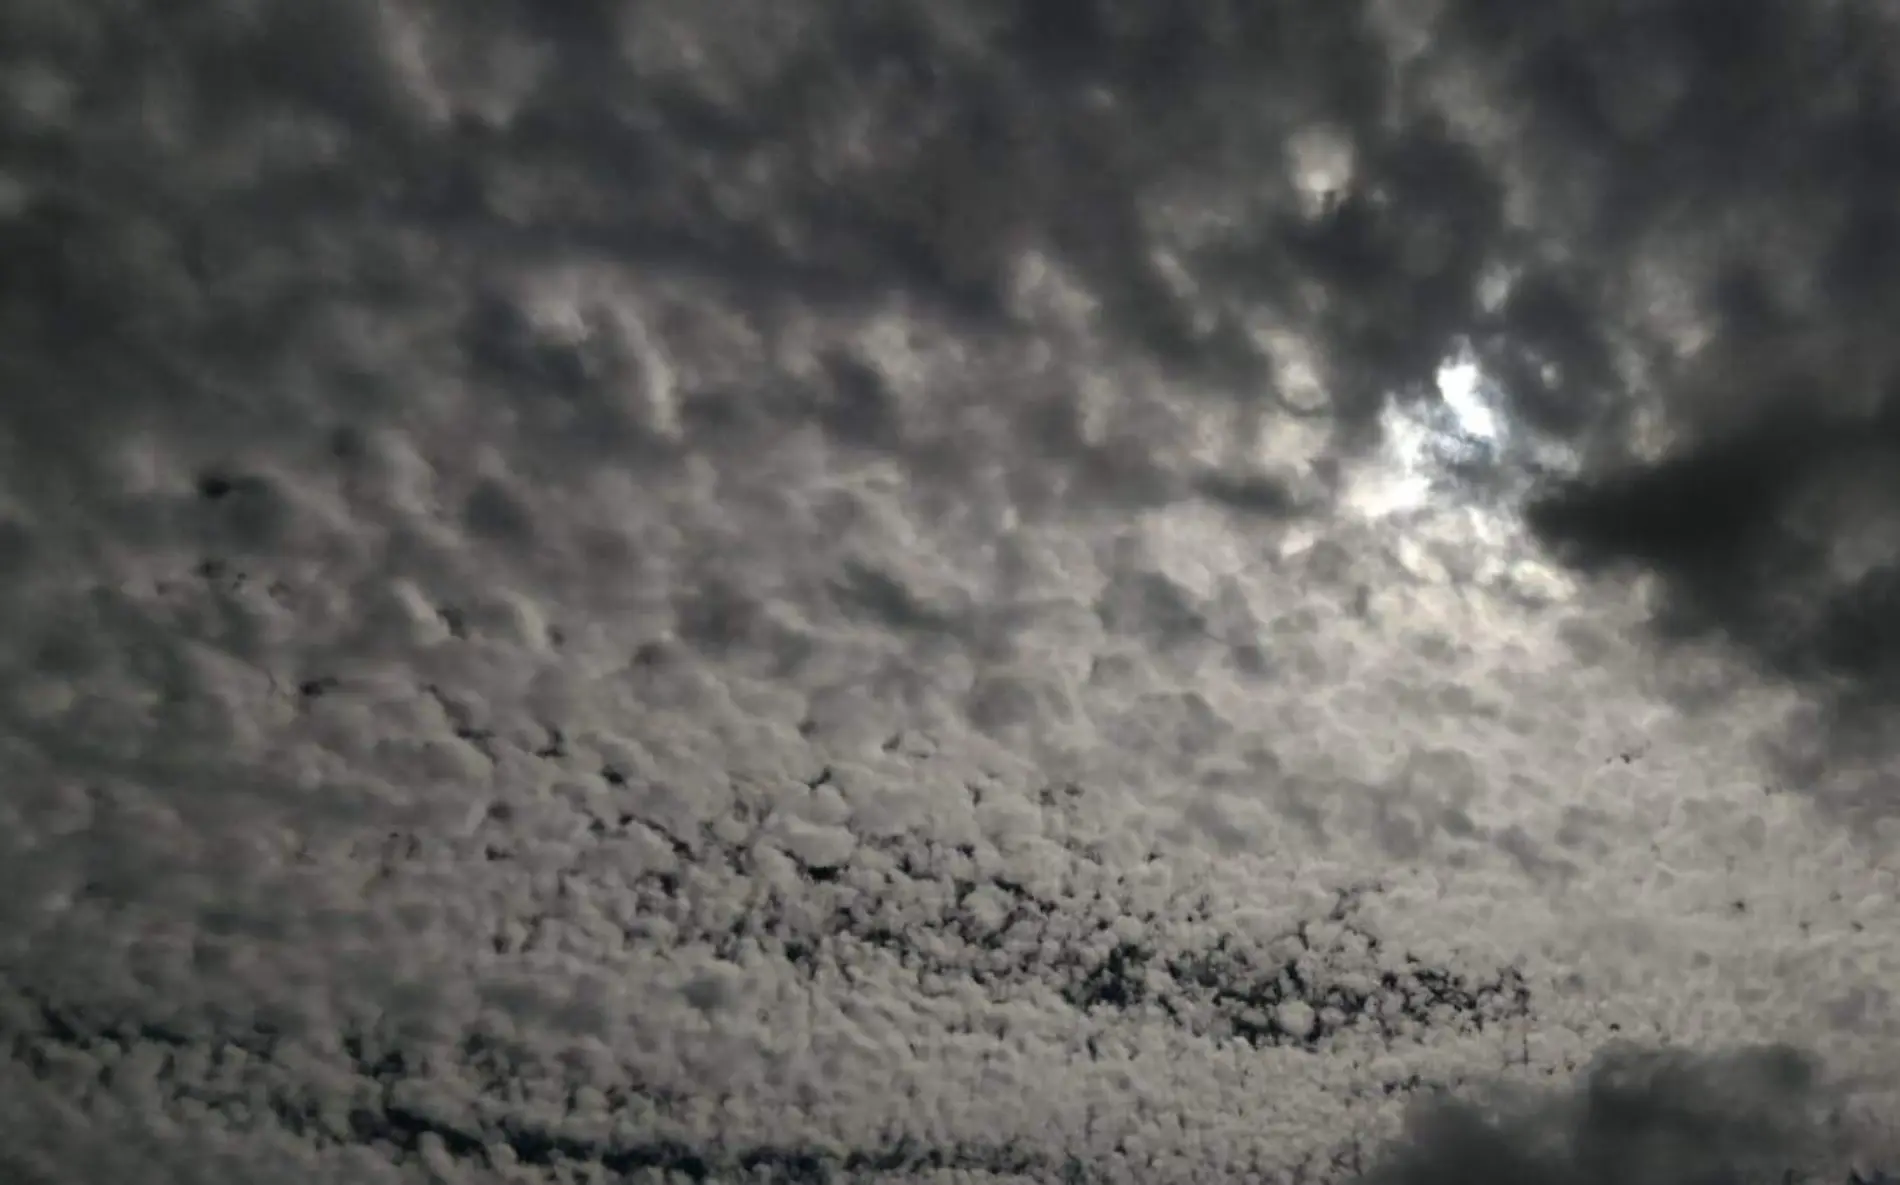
pixel 1777 536
